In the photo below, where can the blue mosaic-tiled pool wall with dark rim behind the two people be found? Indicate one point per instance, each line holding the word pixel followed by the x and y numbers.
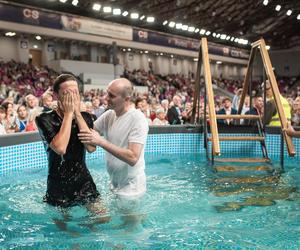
pixel 21 152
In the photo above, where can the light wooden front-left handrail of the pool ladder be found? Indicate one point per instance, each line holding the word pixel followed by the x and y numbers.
pixel 210 97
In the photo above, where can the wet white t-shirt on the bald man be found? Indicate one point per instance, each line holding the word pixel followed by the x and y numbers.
pixel 132 126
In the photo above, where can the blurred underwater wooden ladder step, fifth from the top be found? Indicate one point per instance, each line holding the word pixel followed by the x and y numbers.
pixel 241 180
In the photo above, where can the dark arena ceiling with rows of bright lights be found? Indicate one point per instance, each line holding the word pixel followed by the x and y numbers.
pixel 247 19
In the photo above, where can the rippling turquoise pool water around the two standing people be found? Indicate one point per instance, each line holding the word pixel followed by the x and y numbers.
pixel 187 206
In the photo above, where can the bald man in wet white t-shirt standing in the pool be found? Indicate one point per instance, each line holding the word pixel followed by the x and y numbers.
pixel 124 131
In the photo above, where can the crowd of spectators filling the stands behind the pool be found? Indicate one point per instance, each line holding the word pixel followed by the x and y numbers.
pixel 25 92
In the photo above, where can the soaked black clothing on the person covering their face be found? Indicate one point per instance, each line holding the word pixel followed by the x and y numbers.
pixel 69 181
